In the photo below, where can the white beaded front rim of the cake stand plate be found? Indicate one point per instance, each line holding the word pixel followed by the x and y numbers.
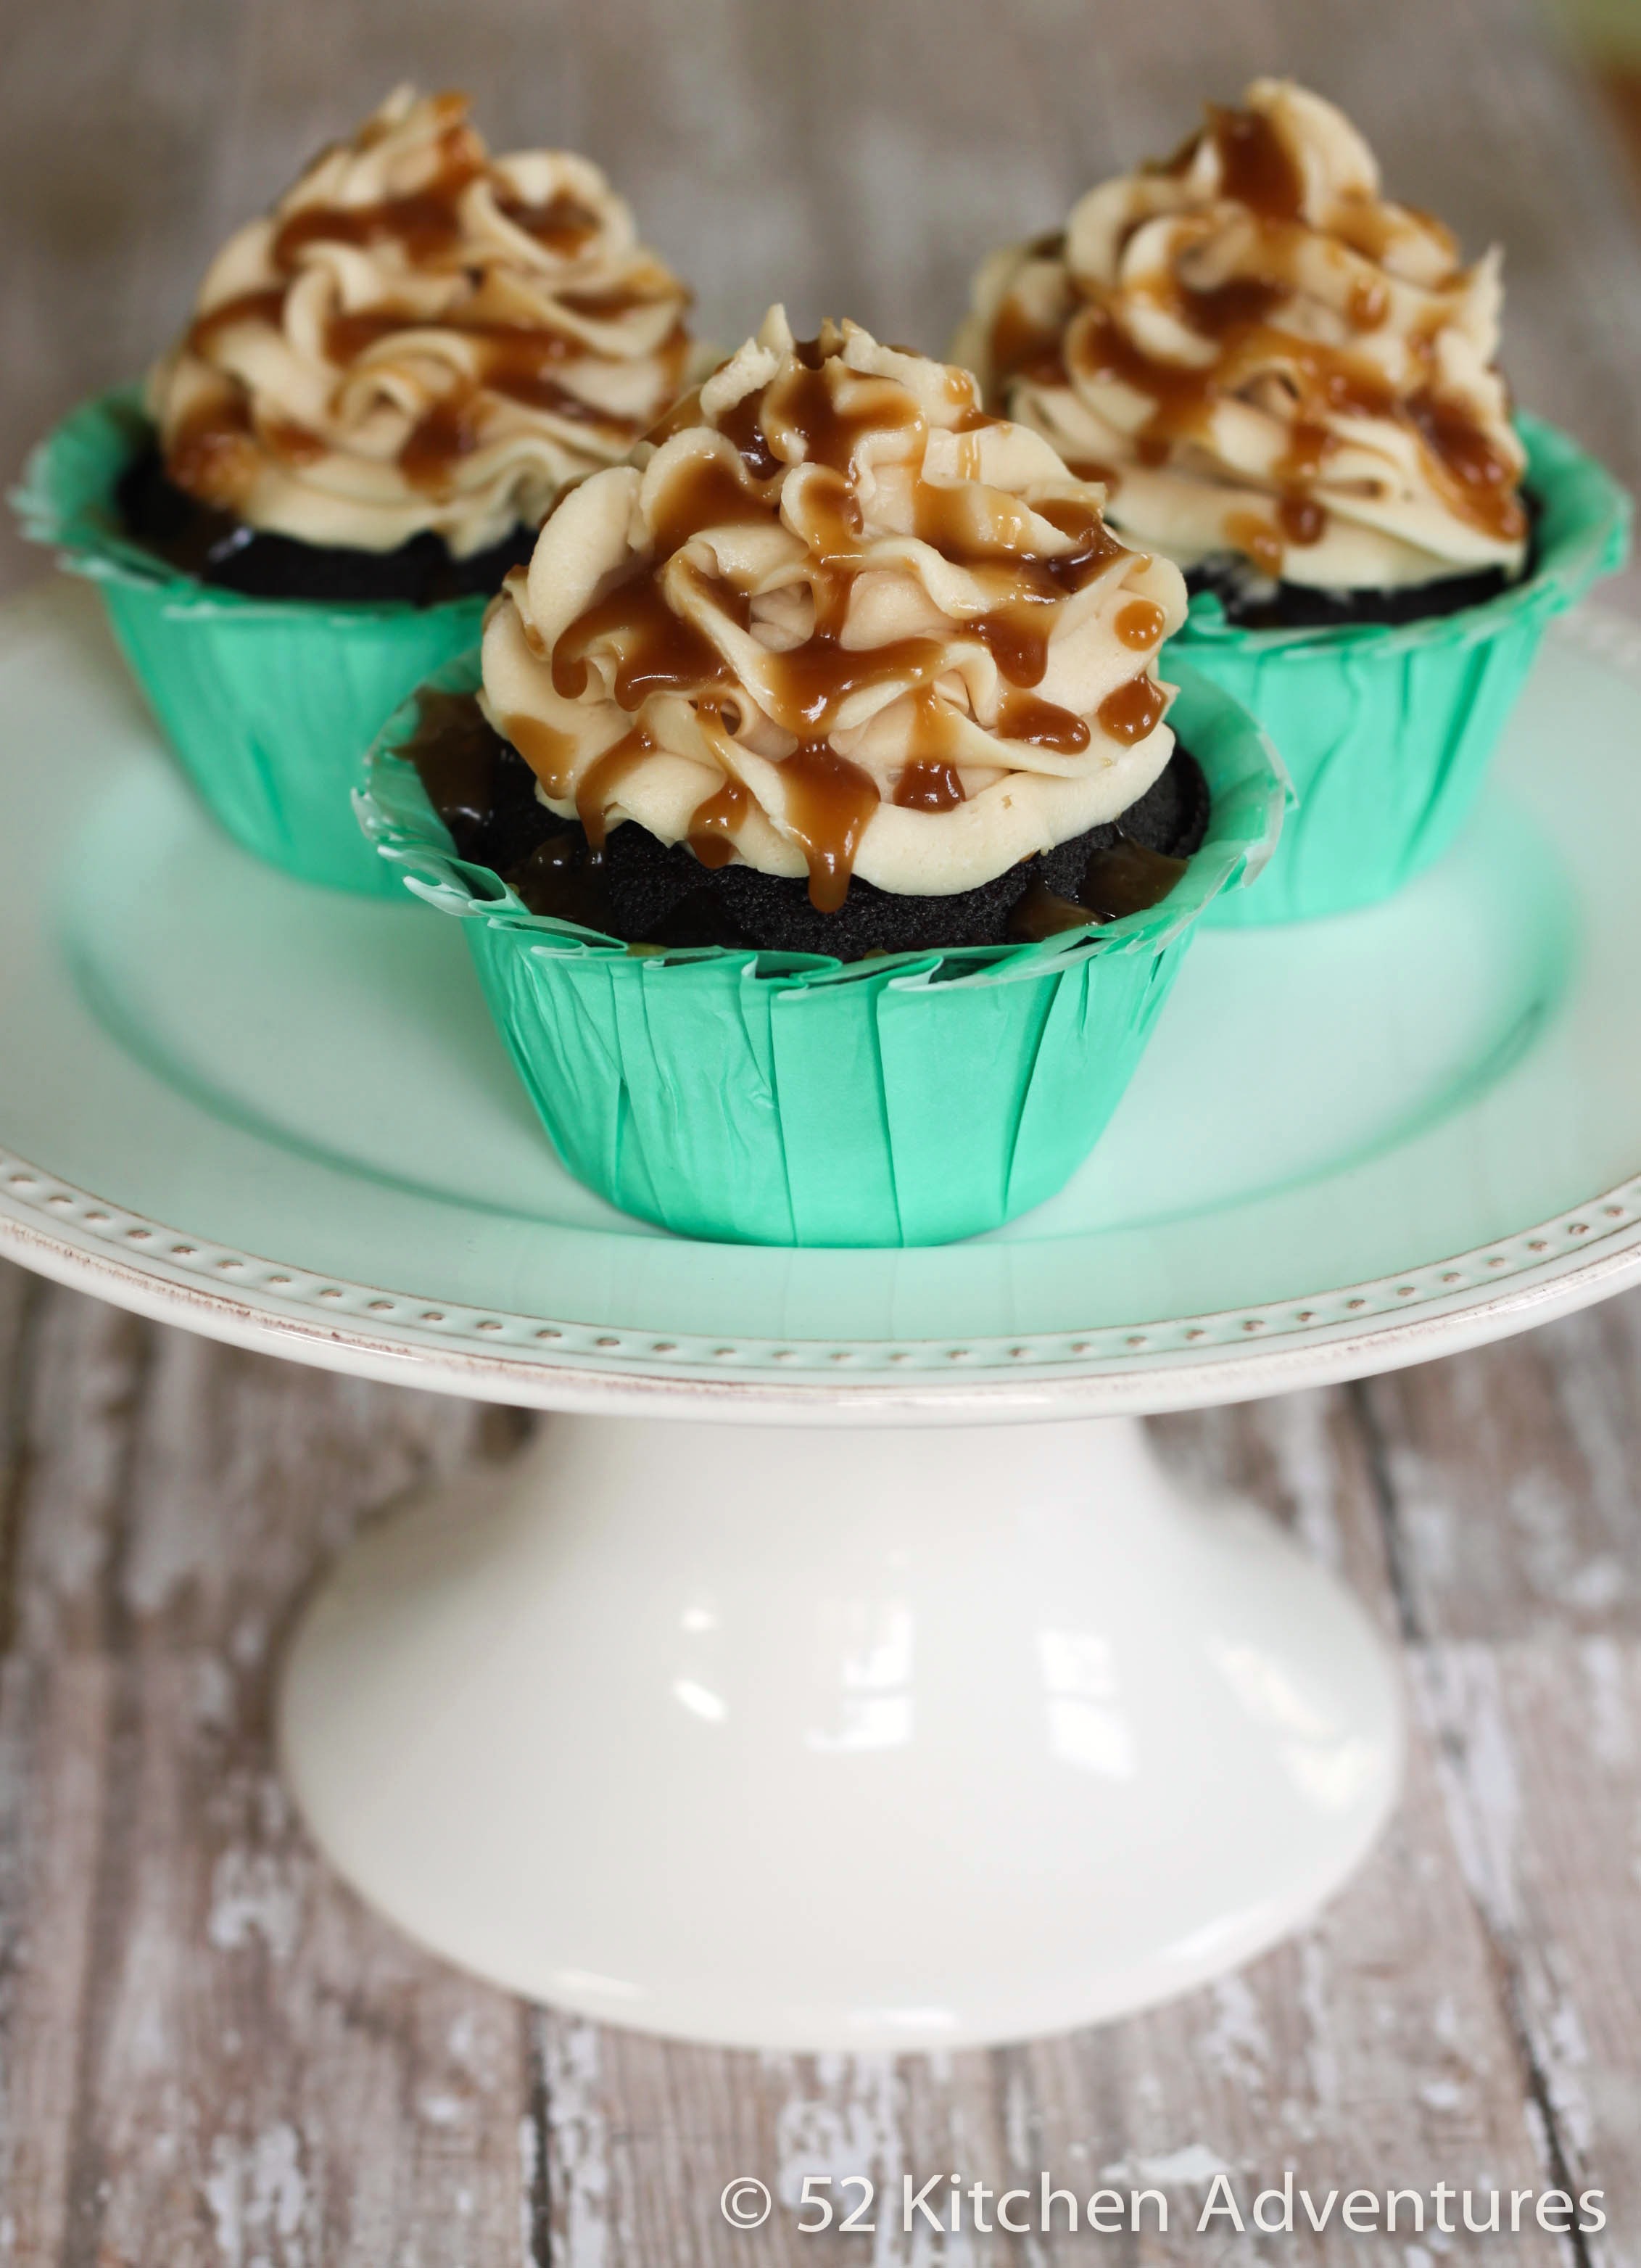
pixel 44 1208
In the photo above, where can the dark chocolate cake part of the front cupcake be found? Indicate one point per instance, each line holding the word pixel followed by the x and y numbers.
pixel 656 895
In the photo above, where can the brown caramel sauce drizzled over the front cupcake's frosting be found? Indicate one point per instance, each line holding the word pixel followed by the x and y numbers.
pixel 804 416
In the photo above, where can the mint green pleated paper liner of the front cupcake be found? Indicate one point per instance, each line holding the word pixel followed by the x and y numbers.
pixel 799 1101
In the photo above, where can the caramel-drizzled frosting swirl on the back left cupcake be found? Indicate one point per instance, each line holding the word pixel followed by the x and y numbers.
pixel 420 337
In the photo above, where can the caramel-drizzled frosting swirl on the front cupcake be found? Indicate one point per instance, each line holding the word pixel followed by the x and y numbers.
pixel 833 620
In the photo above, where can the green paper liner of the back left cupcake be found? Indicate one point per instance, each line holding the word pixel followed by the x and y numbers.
pixel 269 704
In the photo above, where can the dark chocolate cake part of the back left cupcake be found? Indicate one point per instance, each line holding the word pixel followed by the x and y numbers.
pixel 221 550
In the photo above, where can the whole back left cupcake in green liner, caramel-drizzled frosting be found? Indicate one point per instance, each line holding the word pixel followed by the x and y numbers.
pixel 384 387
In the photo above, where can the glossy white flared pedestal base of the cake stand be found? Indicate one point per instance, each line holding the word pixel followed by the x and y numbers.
pixel 840 1738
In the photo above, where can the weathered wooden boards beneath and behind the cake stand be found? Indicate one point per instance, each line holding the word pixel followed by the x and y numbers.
pixel 210 2054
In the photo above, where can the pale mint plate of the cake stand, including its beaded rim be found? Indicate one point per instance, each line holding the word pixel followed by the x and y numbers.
pixel 284 1117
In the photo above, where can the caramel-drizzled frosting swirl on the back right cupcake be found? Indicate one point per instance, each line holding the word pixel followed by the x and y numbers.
pixel 1264 357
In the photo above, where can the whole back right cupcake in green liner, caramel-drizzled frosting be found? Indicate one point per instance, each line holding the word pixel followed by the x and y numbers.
pixel 1289 387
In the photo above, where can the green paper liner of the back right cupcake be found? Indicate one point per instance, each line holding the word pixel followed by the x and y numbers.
pixel 1388 729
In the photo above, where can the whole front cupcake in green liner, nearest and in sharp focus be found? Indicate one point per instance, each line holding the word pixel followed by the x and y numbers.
pixel 817 806
